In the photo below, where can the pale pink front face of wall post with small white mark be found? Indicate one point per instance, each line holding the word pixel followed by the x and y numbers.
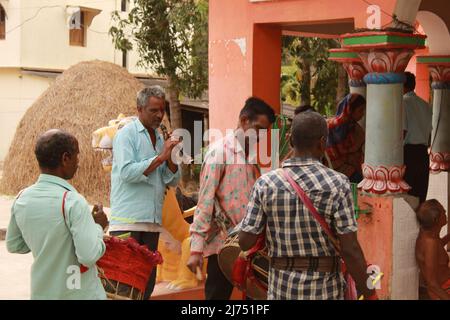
pixel 230 62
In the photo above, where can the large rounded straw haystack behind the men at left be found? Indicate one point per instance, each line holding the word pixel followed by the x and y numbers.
pixel 83 99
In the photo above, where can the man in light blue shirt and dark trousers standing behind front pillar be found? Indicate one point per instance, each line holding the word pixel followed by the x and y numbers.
pixel 417 125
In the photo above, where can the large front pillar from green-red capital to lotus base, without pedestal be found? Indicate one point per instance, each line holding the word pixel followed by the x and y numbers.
pixel 386 56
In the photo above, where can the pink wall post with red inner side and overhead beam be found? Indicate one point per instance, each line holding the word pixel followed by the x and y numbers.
pixel 245 47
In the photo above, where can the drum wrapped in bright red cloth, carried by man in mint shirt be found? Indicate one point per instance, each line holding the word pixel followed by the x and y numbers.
pixel 125 268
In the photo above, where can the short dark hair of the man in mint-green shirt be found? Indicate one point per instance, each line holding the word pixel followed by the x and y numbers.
pixel 51 146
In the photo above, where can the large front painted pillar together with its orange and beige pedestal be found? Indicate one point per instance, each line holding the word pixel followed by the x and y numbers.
pixel 387 235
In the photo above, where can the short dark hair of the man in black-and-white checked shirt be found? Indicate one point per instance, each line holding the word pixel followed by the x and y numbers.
pixel 307 128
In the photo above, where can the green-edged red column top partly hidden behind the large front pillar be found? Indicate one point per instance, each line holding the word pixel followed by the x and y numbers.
pixel 353 66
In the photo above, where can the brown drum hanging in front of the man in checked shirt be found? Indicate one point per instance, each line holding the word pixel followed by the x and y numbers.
pixel 256 289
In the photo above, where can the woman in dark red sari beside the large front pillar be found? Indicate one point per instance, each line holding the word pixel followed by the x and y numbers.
pixel 345 145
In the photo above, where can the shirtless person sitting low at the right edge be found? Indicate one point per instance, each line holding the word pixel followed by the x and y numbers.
pixel 431 255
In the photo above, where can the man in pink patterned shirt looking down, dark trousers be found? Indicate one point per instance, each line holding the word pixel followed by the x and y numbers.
pixel 226 180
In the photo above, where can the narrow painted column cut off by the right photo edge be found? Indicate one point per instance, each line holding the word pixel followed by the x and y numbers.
pixel 440 138
